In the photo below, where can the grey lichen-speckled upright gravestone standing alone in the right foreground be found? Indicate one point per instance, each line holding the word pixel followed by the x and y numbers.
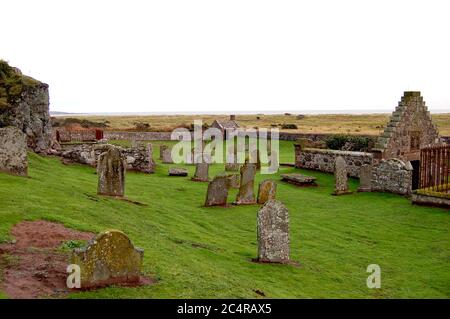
pixel 273 233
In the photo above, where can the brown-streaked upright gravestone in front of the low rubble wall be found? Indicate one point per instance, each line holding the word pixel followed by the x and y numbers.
pixel 111 173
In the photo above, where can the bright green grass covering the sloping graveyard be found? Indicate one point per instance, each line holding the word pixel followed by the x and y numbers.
pixel 198 252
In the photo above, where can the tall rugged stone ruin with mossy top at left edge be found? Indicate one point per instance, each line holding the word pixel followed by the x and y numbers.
pixel 24 103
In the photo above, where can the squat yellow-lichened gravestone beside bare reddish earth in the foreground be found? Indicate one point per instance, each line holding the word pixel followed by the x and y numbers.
pixel 109 258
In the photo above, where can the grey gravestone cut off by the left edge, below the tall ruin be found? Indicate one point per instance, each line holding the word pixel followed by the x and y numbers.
pixel 13 151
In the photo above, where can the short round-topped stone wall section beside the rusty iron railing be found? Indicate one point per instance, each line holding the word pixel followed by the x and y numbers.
pixel 392 176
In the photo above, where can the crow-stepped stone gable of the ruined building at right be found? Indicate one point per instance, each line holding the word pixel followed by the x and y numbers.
pixel 409 129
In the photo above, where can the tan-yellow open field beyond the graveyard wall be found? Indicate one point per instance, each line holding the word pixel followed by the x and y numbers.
pixel 341 123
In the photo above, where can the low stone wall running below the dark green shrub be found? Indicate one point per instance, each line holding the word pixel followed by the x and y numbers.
pixel 323 159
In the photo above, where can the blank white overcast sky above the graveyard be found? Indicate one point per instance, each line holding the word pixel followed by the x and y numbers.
pixel 212 56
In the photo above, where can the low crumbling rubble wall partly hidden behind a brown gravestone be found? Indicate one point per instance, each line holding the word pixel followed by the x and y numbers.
pixel 137 158
